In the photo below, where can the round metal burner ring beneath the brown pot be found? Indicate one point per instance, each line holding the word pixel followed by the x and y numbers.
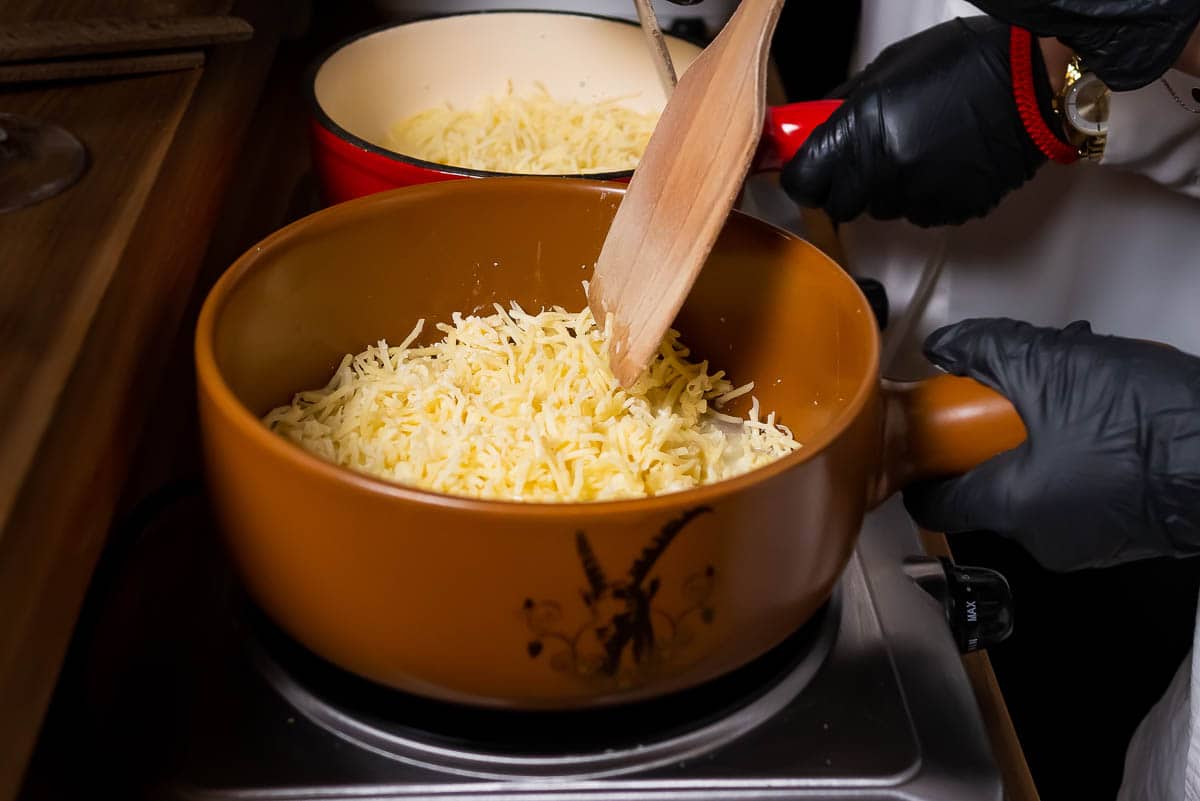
pixel 800 660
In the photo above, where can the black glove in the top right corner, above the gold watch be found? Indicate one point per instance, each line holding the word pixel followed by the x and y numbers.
pixel 1127 44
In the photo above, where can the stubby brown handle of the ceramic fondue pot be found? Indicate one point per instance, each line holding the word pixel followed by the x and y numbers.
pixel 941 427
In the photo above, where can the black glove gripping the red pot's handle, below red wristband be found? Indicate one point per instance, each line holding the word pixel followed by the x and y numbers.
pixel 929 131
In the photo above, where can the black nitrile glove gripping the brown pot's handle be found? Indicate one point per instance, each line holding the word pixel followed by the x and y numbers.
pixel 1111 472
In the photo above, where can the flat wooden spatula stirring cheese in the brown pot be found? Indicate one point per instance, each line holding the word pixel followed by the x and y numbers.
pixel 683 189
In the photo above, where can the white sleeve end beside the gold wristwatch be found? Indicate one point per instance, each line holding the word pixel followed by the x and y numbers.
pixel 1155 133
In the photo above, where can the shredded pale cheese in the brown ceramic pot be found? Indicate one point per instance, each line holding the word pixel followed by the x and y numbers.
pixel 525 407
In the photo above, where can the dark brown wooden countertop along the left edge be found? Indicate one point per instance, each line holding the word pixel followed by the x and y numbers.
pixel 93 285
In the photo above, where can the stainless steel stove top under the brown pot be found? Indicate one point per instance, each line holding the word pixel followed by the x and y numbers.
pixel 868 702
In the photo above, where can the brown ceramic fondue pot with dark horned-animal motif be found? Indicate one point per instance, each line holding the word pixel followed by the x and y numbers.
pixel 544 606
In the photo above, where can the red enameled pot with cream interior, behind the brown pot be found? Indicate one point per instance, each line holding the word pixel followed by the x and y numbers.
pixel 365 86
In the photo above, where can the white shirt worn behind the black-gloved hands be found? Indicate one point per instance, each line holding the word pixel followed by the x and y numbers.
pixel 1117 244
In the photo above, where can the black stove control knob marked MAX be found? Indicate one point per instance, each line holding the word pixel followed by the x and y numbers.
pixel 979 601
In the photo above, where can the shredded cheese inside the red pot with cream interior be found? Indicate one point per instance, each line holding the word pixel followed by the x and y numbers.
pixel 532 135
